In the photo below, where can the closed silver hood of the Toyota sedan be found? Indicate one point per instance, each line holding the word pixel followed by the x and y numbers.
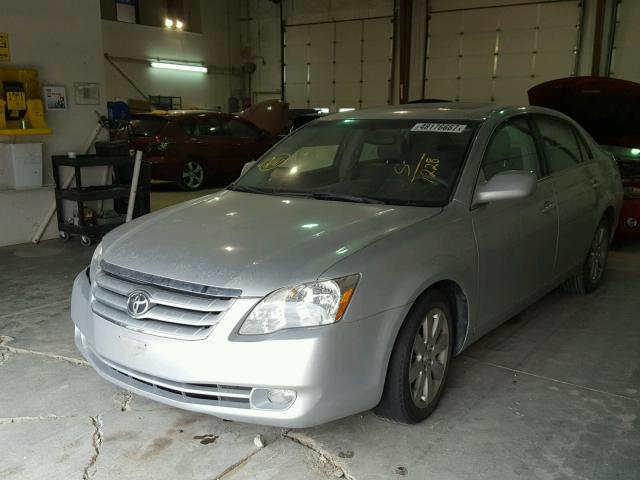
pixel 255 243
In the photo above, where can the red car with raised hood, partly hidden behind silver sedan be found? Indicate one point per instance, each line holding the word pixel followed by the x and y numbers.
pixel 609 109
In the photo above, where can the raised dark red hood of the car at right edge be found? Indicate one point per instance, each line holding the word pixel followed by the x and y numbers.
pixel 607 108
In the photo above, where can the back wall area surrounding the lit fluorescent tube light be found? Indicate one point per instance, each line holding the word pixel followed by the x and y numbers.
pixel 218 46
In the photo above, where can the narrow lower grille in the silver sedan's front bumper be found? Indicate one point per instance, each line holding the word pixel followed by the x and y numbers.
pixel 201 394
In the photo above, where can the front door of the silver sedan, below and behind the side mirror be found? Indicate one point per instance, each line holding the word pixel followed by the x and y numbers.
pixel 516 239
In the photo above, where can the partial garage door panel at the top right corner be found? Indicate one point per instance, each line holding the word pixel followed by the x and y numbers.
pixel 625 57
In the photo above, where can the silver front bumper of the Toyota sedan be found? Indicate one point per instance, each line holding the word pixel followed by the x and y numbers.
pixel 335 370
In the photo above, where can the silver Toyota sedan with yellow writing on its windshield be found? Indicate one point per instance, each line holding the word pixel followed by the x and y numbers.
pixel 345 268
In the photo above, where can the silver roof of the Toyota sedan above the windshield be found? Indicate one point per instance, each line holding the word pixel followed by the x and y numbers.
pixel 444 111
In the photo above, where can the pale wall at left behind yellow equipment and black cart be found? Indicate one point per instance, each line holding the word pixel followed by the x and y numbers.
pixel 62 40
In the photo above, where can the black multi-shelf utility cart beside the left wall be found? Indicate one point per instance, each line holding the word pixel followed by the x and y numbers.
pixel 91 228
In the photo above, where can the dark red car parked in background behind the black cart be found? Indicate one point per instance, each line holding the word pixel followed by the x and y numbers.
pixel 194 147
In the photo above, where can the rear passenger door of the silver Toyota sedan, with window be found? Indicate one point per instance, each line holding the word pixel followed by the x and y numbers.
pixel 575 187
